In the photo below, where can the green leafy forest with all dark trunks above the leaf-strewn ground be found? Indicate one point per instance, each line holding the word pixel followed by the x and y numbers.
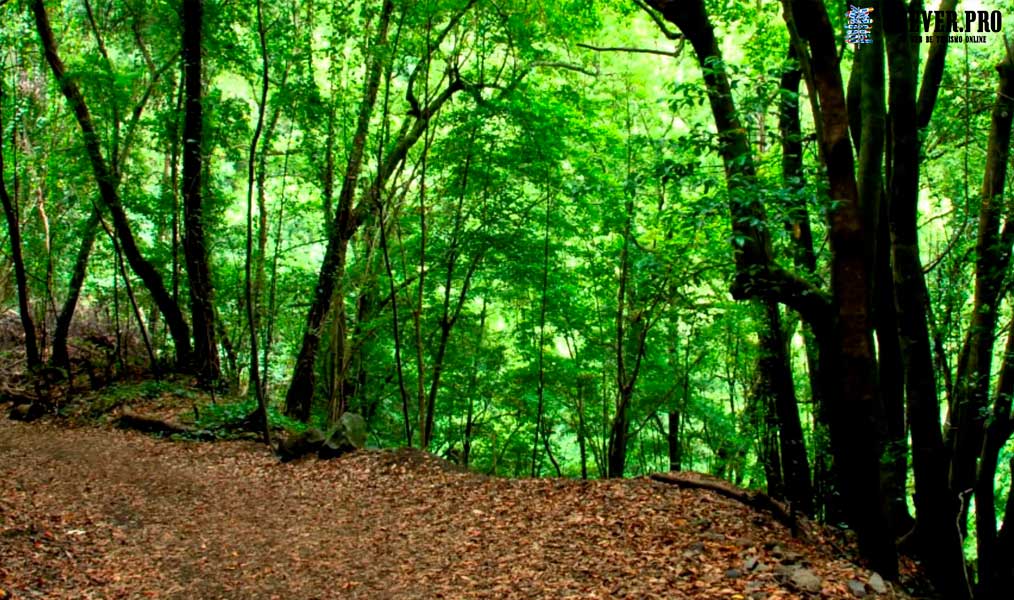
pixel 769 242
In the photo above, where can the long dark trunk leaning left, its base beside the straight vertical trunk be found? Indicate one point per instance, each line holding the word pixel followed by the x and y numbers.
pixel 109 194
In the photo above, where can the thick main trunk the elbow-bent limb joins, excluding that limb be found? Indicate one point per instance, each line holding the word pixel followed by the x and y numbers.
pixel 855 407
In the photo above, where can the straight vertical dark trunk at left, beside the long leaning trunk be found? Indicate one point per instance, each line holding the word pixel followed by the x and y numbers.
pixel 205 358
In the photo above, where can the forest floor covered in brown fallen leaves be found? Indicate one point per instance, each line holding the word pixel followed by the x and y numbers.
pixel 94 512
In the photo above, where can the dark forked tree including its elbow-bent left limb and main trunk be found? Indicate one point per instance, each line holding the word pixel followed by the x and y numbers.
pixel 844 327
